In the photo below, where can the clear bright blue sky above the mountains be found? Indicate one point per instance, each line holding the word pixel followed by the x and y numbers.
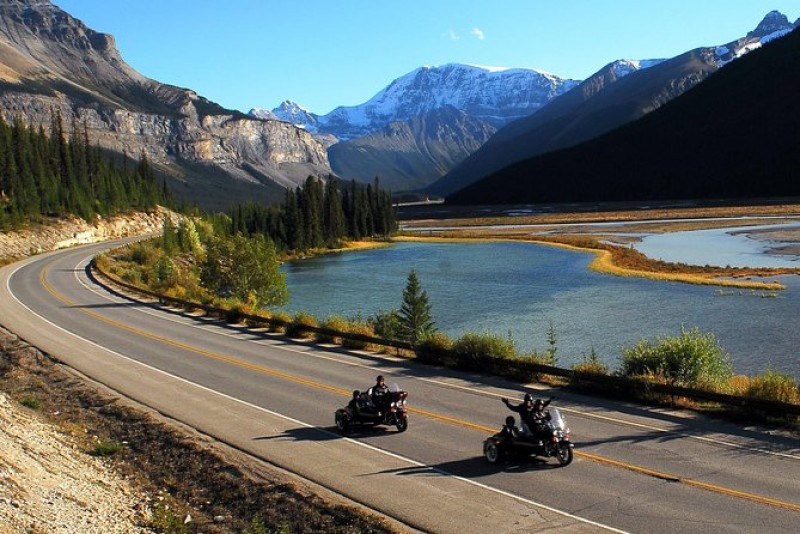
pixel 321 54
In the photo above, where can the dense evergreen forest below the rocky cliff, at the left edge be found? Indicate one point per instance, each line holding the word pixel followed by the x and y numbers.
pixel 58 175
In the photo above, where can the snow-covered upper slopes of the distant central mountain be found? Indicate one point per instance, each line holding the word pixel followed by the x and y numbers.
pixel 493 95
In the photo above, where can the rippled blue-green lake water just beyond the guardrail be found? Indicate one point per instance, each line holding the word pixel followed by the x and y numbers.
pixel 521 290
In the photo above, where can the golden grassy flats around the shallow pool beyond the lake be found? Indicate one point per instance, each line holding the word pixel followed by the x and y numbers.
pixel 609 235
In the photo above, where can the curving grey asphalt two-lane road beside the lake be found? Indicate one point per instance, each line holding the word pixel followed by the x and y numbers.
pixel 636 469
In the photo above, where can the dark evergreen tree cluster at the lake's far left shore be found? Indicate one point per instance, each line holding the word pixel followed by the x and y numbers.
pixel 319 214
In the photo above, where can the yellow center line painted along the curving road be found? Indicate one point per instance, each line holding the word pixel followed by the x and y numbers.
pixel 432 415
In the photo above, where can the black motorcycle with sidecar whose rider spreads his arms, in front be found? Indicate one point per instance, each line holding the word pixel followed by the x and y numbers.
pixel 550 439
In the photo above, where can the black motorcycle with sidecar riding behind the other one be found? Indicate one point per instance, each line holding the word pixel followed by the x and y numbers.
pixel 390 411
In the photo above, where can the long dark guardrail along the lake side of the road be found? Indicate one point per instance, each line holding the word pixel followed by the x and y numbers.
pixel 519 368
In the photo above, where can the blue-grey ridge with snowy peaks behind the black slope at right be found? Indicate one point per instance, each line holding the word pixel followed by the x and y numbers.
pixel 618 93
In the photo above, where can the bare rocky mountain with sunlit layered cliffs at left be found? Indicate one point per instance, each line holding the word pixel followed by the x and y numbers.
pixel 51 63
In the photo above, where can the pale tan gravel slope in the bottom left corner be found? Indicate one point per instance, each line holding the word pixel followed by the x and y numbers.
pixel 47 484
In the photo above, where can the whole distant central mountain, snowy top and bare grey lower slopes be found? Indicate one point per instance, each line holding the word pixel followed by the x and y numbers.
pixel 393 134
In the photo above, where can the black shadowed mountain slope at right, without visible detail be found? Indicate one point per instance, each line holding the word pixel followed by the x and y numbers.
pixel 732 136
